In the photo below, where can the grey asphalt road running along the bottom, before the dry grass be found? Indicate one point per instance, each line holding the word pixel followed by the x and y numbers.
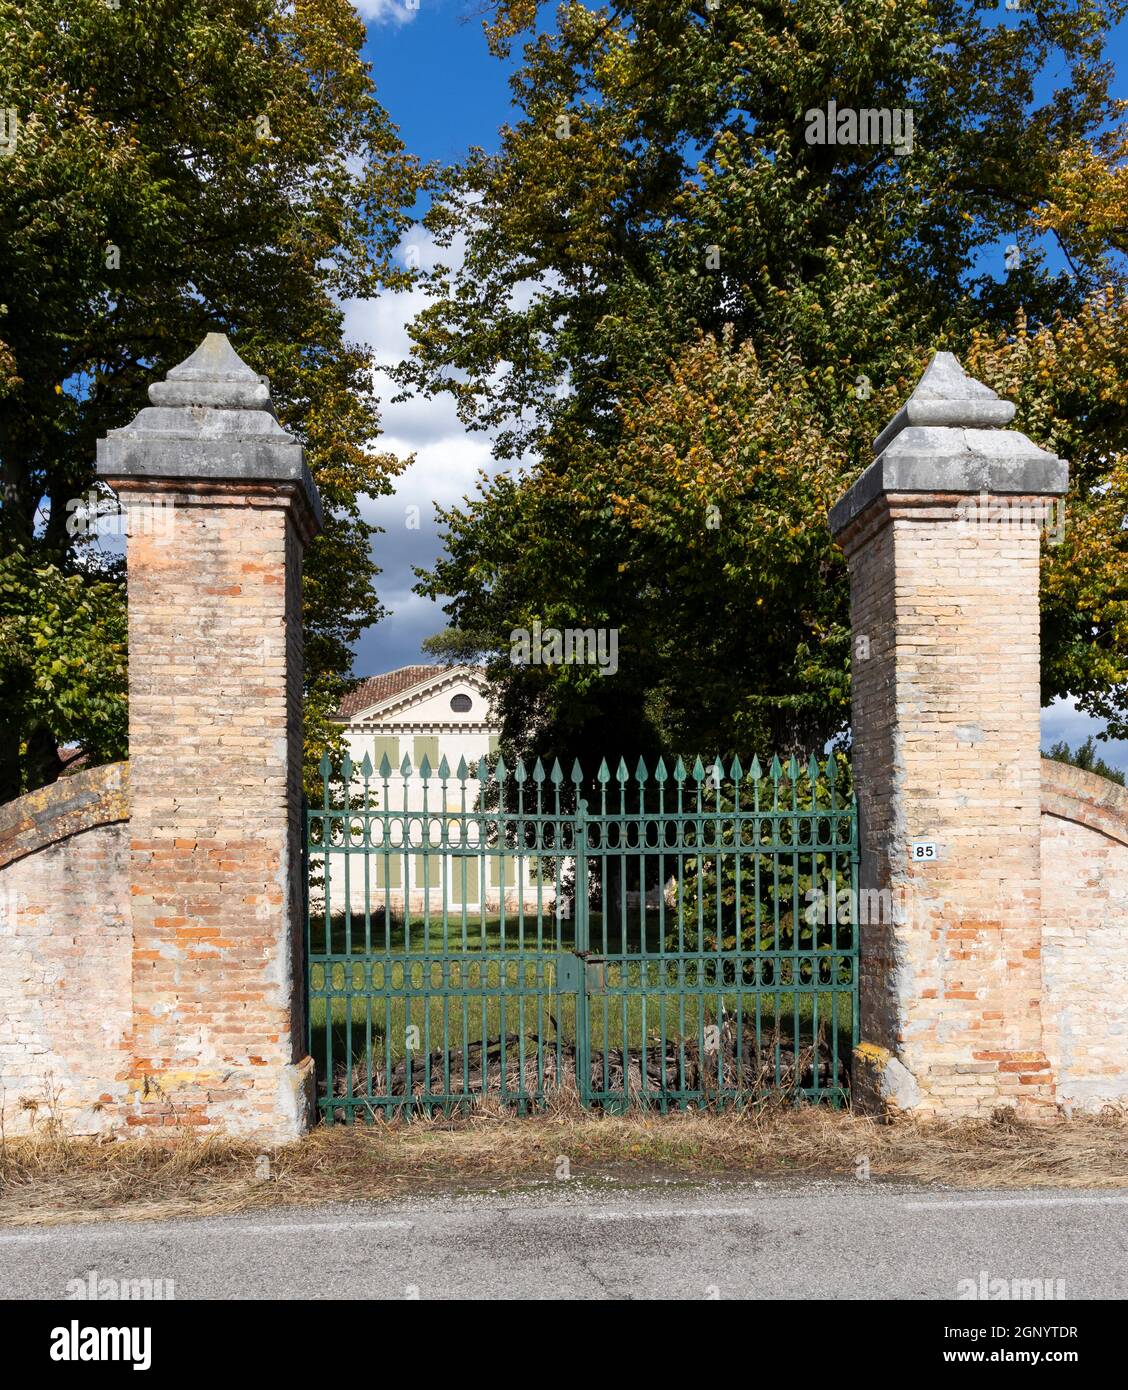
pixel 672 1242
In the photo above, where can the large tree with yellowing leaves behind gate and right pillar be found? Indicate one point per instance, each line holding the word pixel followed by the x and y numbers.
pixel 674 302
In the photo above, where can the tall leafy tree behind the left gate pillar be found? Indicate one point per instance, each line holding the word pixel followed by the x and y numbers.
pixel 180 167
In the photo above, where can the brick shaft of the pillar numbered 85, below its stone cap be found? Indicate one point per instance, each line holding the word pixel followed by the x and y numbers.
pixel 947 719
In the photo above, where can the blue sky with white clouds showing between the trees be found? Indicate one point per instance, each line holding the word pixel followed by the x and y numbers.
pixel 444 90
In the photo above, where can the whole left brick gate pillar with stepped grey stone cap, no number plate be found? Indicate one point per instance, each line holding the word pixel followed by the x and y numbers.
pixel 220 507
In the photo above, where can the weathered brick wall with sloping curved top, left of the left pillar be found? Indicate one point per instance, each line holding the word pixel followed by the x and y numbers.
pixel 66 999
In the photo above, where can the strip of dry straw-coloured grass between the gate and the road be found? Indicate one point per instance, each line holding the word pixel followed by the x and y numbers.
pixel 47 1178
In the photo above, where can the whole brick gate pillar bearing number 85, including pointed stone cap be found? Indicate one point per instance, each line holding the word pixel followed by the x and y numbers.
pixel 943 540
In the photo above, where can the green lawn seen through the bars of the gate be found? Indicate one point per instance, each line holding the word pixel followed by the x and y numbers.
pixel 490 990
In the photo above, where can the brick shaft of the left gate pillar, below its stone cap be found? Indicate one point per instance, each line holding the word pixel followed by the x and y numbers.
pixel 215 742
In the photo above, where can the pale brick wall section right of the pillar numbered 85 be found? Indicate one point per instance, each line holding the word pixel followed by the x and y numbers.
pixel 1086 936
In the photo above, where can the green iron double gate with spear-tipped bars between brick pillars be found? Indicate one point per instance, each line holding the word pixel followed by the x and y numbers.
pixel 690 940
